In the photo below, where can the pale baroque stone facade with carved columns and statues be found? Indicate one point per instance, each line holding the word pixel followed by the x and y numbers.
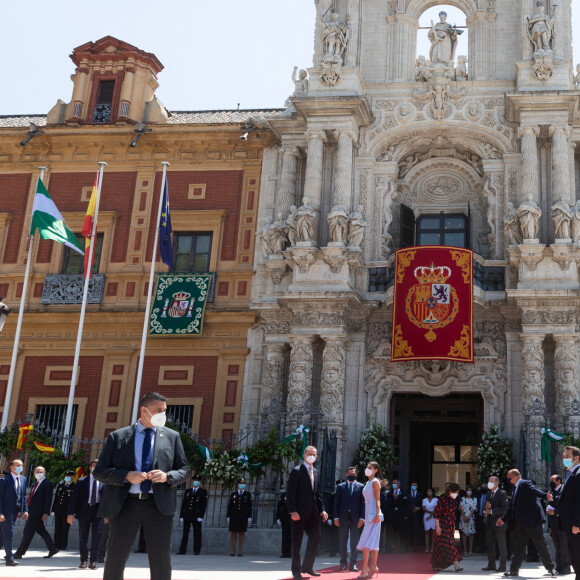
pixel 488 136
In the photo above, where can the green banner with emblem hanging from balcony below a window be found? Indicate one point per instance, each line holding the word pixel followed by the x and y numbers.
pixel 179 304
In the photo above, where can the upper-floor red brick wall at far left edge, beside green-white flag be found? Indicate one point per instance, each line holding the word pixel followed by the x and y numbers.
pixel 13 195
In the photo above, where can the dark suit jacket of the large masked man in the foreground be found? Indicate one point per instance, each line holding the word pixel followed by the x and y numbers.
pixel 118 458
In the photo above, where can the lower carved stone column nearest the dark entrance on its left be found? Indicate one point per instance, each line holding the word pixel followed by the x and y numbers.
pixel 332 387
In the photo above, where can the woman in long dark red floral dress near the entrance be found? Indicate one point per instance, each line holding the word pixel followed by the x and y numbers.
pixel 444 551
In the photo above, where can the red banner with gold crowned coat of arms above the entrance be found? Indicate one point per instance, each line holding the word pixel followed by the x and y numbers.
pixel 433 304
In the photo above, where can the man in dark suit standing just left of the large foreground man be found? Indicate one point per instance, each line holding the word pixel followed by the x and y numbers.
pixel 84 506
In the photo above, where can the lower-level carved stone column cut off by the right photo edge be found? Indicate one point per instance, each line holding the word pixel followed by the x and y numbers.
pixel 565 372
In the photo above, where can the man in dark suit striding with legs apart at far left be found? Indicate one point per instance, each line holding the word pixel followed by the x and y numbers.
pixel 39 502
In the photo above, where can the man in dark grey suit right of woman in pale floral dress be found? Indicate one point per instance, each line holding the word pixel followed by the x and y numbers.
pixel 496 506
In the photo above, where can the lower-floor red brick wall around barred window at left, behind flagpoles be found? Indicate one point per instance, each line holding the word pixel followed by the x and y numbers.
pixel 89 383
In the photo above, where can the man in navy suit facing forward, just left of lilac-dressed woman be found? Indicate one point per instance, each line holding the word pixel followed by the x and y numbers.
pixel 349 511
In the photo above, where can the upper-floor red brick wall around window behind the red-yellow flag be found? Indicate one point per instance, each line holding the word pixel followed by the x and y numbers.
pixel 117 194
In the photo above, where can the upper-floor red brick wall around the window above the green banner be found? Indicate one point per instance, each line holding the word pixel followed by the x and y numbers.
pixel 223 191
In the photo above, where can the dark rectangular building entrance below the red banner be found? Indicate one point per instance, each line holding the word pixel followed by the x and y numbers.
pixel 436 439
